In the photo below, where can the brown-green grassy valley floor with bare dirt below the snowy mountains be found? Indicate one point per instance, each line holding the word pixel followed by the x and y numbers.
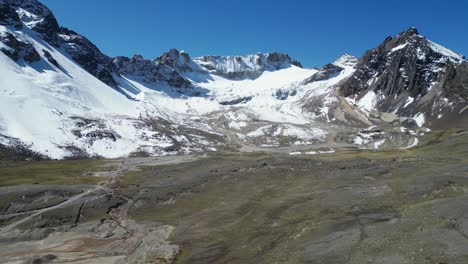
pixel 350 206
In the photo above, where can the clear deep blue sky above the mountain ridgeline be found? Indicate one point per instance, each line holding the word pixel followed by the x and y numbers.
pixel 314 32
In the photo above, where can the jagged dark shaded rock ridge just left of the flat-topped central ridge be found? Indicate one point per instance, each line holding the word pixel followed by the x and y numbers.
pixel 165 69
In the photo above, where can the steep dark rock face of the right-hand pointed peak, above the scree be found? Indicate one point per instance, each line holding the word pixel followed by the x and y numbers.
pixel 402 66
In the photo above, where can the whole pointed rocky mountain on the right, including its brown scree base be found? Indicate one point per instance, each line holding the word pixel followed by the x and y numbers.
pixel 407 75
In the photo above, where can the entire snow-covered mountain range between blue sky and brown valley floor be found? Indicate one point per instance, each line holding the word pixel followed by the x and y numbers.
pixel 60 96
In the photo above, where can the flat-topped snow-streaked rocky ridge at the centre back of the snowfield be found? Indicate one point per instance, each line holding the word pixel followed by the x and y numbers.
pixel 246 67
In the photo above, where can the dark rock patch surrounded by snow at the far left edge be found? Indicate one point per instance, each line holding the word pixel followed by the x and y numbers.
pixel 17 49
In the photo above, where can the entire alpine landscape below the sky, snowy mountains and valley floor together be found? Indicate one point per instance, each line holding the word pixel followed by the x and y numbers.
pixel 250 159
